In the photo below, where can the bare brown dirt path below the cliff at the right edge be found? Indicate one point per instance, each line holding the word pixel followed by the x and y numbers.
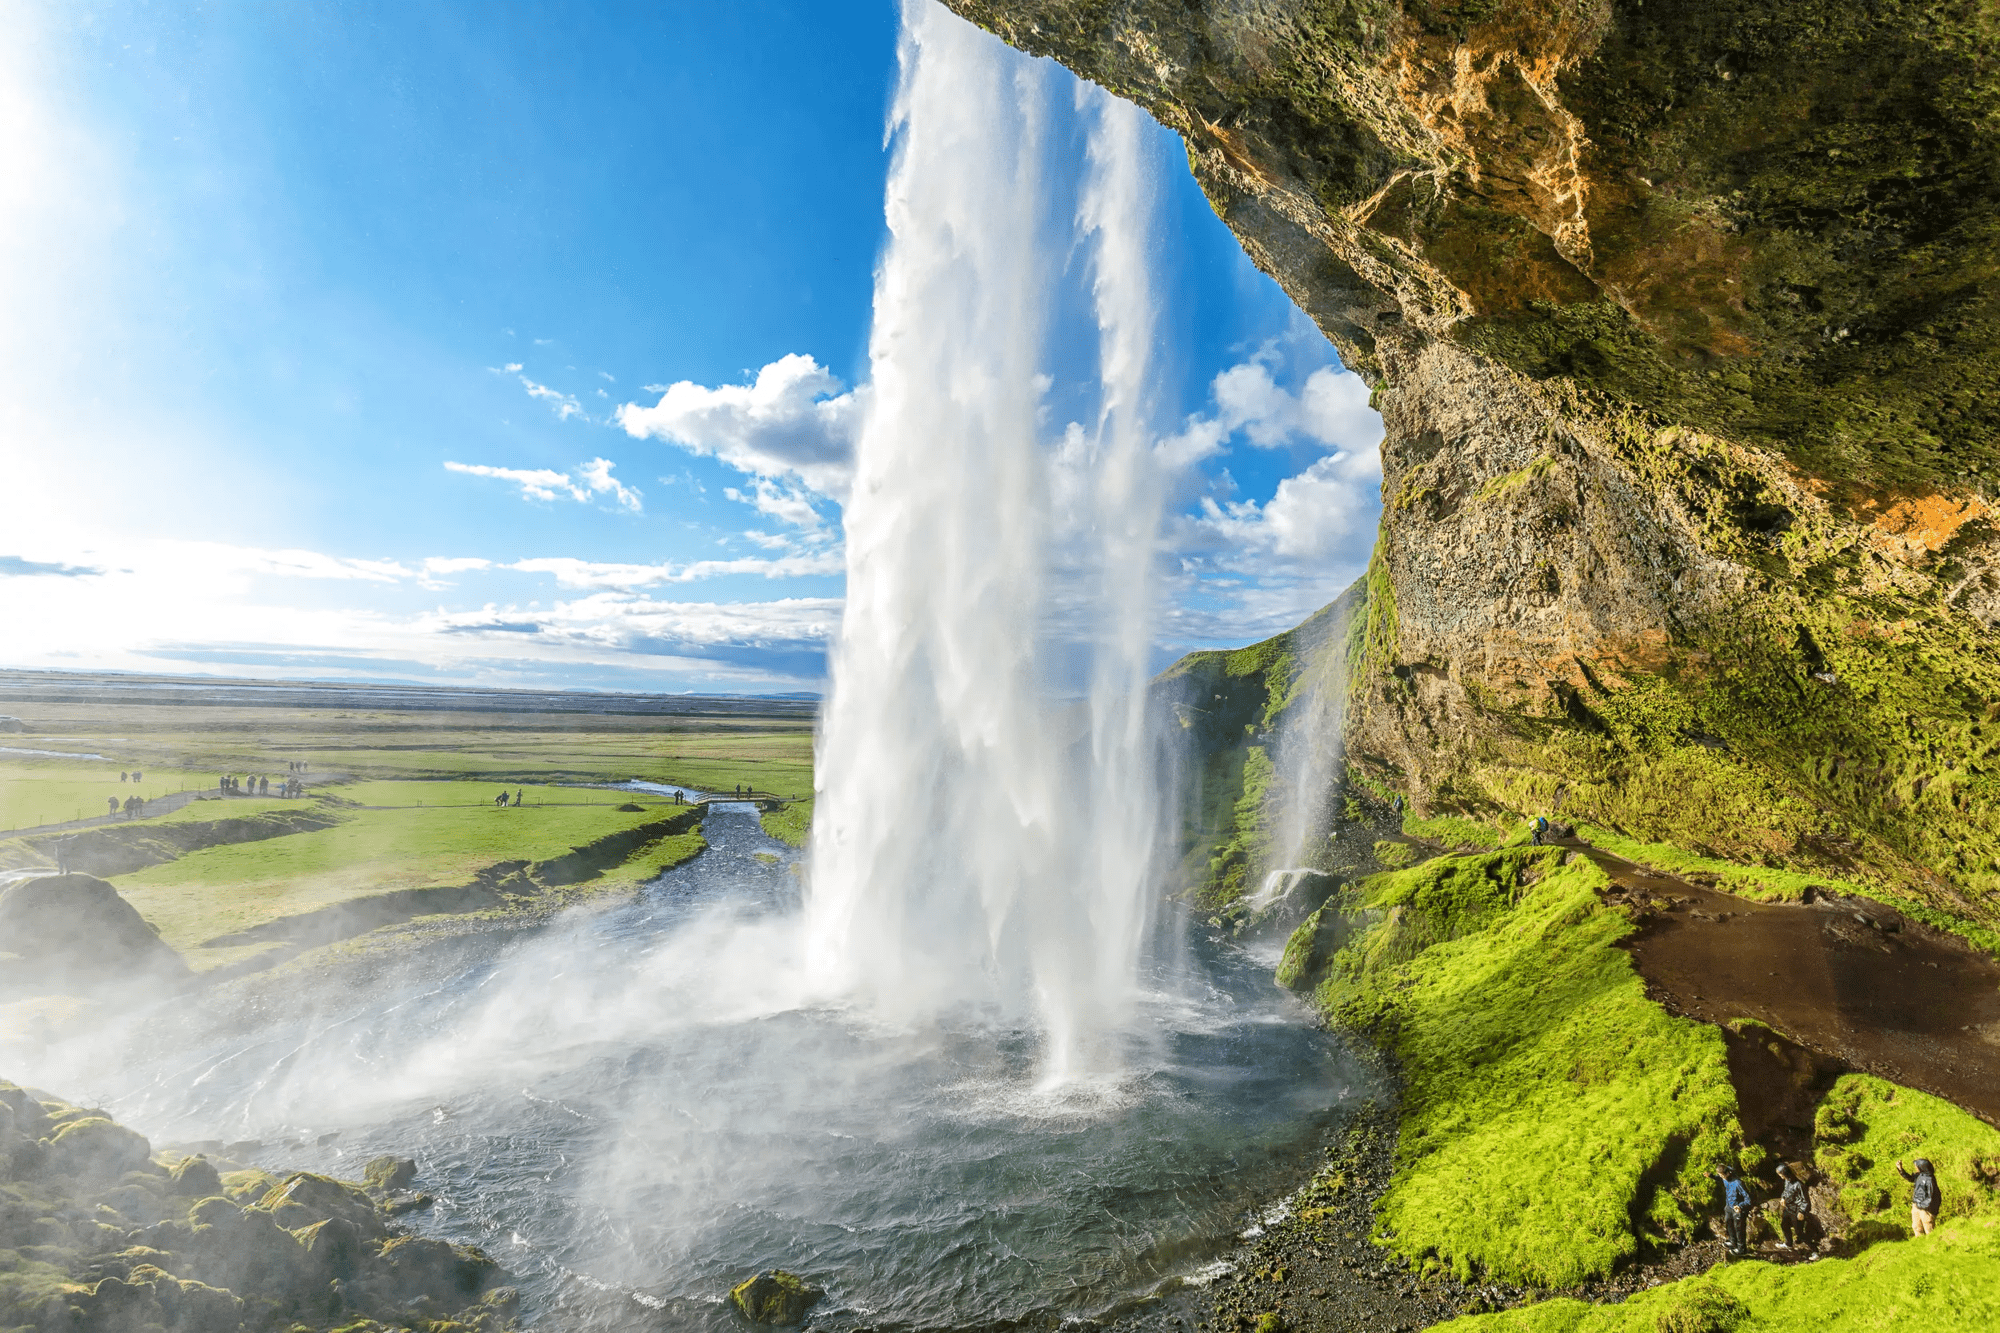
pixel 1853 984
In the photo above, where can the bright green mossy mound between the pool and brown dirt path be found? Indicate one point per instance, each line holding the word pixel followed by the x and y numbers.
pixel 1553 1116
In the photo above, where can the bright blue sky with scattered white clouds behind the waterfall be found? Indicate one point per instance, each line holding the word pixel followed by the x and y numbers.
pixel 335 339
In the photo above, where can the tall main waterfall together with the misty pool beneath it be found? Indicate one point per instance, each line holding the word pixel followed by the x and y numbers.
pixel 963 1078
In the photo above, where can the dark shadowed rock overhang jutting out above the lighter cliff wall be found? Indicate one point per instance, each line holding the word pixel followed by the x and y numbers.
pixel 1767 219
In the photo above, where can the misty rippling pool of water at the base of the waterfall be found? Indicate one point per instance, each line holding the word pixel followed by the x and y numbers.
pixel 633 1110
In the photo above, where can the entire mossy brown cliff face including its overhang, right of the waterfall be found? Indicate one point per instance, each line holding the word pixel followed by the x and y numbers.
pixel 1685 325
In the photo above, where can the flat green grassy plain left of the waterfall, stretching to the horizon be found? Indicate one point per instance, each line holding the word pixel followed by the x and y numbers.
pixel 401 804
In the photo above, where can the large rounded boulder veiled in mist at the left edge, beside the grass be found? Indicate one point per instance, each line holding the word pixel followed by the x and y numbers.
pixel 75 932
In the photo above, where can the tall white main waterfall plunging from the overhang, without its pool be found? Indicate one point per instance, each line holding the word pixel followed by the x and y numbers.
pixel 979 842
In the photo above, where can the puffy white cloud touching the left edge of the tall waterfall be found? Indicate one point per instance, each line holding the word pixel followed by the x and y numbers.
pixel 791 421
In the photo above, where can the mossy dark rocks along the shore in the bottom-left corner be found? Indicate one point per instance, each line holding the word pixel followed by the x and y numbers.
pixel 101 1232
